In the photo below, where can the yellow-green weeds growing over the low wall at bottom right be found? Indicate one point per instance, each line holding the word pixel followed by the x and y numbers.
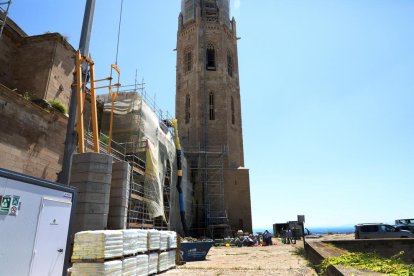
pixel 371 262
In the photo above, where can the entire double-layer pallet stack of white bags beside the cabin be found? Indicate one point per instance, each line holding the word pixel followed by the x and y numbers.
pixel 98 246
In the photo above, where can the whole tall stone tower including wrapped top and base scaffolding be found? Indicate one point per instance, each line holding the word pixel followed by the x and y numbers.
pixel 208 110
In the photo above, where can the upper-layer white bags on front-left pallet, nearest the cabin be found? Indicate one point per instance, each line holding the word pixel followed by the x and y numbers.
pixel 103 244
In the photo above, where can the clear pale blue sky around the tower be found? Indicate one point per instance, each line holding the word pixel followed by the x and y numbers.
pixel 327 93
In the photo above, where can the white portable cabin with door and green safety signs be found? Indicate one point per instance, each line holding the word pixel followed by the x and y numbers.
pixel 35 218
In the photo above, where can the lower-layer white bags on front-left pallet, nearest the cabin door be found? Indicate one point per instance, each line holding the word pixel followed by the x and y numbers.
pixel 113 268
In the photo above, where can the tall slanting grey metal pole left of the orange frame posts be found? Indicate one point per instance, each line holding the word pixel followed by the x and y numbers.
pixel 71 134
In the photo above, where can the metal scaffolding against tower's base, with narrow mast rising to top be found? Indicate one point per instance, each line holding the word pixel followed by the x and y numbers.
pixel 207 161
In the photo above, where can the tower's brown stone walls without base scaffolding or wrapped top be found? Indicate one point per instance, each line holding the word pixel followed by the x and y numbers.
pixel 196 82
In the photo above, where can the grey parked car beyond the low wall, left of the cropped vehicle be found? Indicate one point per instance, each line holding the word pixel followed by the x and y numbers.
pixel 380 231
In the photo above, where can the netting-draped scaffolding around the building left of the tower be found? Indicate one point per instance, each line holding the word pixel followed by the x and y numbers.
pixel 139 128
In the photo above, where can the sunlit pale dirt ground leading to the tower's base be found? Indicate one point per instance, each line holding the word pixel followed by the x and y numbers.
pixel 278 259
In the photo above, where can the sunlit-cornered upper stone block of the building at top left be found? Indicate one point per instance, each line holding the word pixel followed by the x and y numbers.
pixel 40 66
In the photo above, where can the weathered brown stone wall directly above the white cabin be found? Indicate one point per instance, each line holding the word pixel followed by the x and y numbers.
pixel 32 139
